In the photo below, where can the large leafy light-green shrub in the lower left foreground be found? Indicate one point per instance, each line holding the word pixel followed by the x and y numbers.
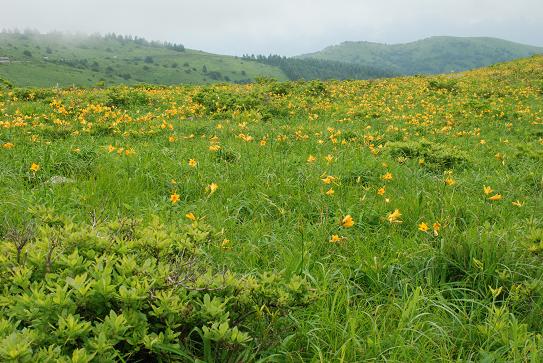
pixel 128 290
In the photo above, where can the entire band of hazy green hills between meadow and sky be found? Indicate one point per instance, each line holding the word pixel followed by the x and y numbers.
pixel 44 60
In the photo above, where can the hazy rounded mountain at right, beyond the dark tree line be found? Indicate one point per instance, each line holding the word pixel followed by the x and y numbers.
pixel 427 56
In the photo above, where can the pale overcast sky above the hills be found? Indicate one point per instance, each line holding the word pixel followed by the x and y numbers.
pixel 286 27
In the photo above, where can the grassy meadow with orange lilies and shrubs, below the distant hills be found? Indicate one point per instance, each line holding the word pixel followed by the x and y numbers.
pixel 386 220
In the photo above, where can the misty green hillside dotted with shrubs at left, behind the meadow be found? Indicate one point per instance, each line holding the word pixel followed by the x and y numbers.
pixel 50 59
